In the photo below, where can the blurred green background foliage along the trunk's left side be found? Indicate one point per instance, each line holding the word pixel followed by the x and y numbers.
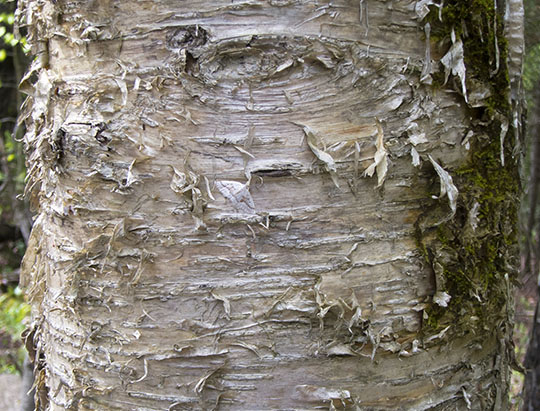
pixel 13 309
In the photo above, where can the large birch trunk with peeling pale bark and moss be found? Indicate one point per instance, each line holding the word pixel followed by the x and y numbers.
pixel 271 204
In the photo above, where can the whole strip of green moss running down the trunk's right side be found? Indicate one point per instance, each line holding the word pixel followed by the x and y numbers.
pixel 471 264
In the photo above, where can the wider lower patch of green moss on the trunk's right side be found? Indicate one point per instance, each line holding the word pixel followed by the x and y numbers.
pixel 478 260
